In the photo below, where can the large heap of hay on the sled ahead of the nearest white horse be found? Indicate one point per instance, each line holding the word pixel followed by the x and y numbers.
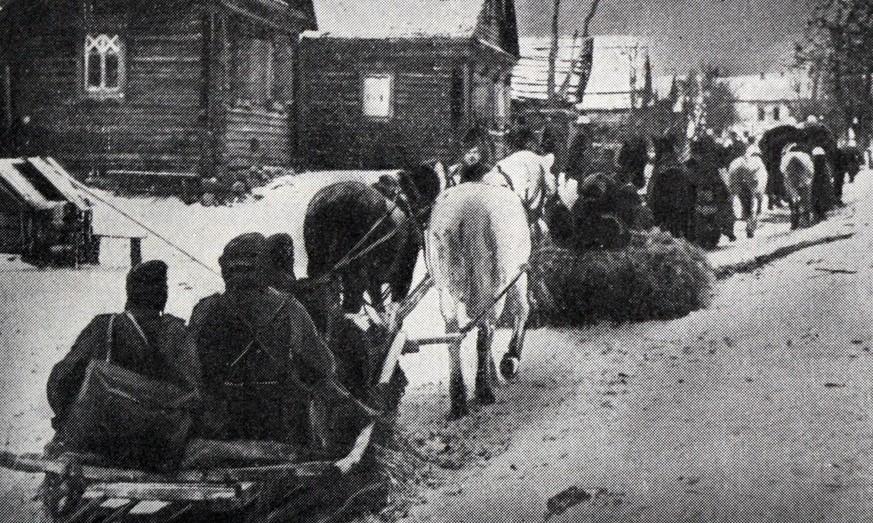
pixel 656 277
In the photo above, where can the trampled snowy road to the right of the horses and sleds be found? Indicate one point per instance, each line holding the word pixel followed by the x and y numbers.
pixel 757 409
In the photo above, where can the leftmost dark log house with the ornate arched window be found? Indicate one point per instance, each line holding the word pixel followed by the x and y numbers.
pixel 149 88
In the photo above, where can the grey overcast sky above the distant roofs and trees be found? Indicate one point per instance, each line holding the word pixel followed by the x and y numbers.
pixel 744 36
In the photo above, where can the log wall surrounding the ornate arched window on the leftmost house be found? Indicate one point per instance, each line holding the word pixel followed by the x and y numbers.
pixel 154 123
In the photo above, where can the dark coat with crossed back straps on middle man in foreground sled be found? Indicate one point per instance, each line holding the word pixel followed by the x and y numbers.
pixel 263 366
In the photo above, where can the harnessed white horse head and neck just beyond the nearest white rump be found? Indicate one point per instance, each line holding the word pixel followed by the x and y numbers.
pixel 528 175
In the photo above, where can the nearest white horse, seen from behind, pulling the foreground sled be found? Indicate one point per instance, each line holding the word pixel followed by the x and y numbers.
pixel 478 246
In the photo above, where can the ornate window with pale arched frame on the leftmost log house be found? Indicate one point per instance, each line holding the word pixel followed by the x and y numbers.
pixel 104 65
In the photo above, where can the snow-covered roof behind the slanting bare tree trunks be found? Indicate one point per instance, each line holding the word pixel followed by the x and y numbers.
pixel 615 58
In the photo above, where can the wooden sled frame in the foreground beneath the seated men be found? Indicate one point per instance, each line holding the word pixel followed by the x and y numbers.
pixel 76 491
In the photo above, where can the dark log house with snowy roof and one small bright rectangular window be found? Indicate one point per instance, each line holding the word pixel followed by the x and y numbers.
pixel 385 83
